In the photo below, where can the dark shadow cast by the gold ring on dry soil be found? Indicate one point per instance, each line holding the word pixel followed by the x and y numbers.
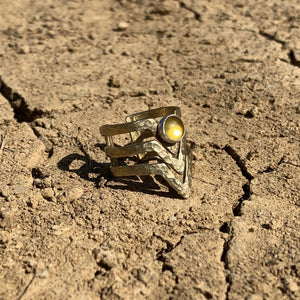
pixel 144 184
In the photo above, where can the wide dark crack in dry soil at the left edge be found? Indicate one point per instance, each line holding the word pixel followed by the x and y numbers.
pixel 22 113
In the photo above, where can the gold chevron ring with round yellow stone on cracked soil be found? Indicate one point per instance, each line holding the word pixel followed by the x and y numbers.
pixel 158 141
